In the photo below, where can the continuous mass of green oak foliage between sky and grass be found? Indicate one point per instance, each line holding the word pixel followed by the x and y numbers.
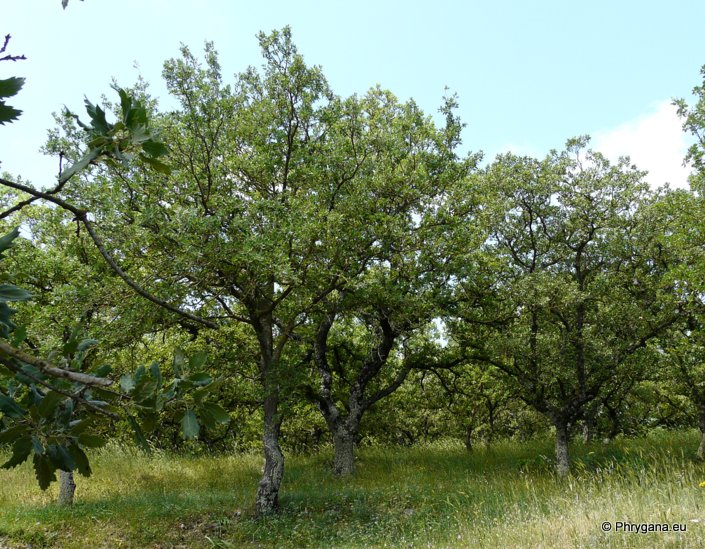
pixel 291 227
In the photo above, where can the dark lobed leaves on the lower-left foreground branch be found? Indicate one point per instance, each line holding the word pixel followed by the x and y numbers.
pixel 55 429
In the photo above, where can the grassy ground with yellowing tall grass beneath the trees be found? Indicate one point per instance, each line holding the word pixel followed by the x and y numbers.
pixel 440 496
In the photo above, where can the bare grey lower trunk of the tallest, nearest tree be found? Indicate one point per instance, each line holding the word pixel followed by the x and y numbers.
pixel 268 489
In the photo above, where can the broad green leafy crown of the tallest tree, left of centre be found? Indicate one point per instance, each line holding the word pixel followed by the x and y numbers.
pixel 281 195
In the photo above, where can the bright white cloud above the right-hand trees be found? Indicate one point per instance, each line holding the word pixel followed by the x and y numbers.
pixel 654 141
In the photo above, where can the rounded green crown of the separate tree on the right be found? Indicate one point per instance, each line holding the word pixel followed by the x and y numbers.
pixel 563 298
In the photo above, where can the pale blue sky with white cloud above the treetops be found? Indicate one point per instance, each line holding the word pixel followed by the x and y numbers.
pixel 528 74
